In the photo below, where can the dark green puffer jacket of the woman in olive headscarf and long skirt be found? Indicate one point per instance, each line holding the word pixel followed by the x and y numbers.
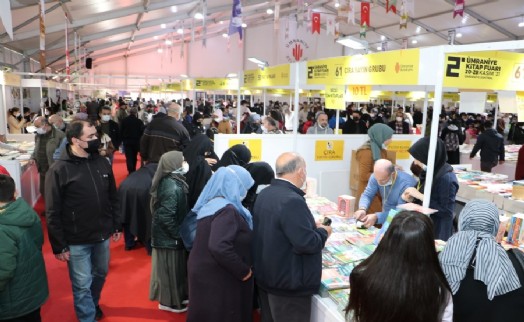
pixel 168 213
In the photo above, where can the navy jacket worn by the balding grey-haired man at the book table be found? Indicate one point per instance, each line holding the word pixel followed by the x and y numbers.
pixel 287 243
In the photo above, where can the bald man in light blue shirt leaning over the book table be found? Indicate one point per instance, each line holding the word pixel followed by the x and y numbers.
pixel 390 183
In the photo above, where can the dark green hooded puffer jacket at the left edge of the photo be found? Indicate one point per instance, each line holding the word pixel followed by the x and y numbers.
pixel 23 279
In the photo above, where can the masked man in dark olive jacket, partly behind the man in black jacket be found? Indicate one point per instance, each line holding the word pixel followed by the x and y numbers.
pixel 47 140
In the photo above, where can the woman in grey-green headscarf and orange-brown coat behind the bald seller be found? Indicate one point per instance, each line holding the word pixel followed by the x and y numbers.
pixel 369 152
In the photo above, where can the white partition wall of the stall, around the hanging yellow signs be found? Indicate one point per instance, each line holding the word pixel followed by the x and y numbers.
pixel 332 176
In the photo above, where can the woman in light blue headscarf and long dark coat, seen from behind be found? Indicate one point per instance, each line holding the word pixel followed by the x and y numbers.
pixel 220 275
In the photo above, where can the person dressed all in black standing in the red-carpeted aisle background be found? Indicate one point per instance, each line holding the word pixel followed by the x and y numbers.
pixel 131 131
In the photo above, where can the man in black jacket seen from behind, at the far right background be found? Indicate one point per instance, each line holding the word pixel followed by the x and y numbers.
pixel 491 146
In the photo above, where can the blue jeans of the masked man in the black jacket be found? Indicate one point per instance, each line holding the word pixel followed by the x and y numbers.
pixel 88 266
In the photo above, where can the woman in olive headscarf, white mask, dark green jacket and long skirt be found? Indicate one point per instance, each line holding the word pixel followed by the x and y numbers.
pixel 169 207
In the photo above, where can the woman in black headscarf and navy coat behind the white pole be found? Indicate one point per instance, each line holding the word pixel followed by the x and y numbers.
pixel 444 188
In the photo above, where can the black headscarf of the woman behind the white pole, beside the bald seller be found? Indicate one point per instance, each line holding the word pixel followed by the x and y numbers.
pixel 420 151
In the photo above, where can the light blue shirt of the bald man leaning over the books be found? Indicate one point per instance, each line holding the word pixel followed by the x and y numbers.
pixel 391 195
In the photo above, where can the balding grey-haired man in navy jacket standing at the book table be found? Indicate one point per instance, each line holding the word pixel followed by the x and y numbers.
pixel 288 245
